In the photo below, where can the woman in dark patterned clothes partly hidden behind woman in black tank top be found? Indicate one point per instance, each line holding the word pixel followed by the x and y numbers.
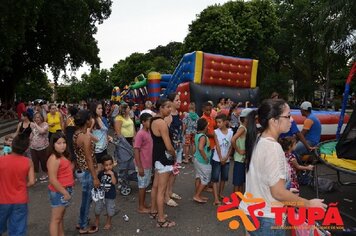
pixel 175 125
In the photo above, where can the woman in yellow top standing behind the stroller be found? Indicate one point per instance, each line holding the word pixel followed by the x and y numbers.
pixel 124 125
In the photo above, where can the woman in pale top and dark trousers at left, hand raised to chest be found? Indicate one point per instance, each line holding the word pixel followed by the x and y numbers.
pixel 38 144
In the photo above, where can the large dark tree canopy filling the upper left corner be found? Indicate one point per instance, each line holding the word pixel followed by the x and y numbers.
pixel 51 34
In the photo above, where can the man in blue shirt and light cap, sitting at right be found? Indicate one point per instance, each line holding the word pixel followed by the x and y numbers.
pixel 311 130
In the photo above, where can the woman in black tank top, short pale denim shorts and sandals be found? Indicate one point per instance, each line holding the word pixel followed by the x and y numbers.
pixel 163 160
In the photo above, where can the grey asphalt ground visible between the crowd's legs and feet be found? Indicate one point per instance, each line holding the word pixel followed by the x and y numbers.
pixel 192 218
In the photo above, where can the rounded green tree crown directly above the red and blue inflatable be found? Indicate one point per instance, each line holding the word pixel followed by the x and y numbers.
pixel 237 28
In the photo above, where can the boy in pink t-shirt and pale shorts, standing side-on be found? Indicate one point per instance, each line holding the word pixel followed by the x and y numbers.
pixel 143 160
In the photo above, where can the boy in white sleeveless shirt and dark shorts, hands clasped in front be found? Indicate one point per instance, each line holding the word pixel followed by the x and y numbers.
pixel 221 158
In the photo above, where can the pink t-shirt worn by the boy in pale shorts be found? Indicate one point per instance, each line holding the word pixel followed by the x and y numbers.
pixel 143 142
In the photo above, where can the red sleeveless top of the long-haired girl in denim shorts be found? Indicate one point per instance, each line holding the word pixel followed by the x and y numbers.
pixel 64 174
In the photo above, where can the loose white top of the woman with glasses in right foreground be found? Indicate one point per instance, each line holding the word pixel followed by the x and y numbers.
pixel 268 165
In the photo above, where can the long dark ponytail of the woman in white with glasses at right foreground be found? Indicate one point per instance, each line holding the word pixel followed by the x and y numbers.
pixel 251 137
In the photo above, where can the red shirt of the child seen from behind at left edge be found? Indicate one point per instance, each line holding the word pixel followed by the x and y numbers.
pixel 13 179
